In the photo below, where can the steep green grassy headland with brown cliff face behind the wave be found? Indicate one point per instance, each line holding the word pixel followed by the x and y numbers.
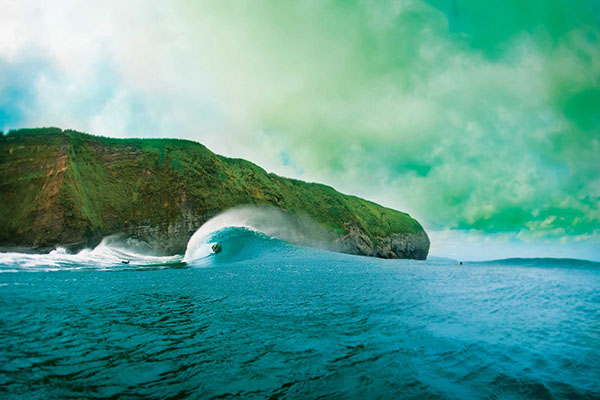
pixel 70 189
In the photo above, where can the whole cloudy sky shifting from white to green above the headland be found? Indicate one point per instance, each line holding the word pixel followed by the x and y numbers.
pixel 480 119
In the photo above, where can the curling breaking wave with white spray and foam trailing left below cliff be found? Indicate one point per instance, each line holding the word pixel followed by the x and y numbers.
pixel 242 232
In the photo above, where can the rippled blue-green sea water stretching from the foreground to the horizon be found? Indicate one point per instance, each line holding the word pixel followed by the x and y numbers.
pixel 266 319
